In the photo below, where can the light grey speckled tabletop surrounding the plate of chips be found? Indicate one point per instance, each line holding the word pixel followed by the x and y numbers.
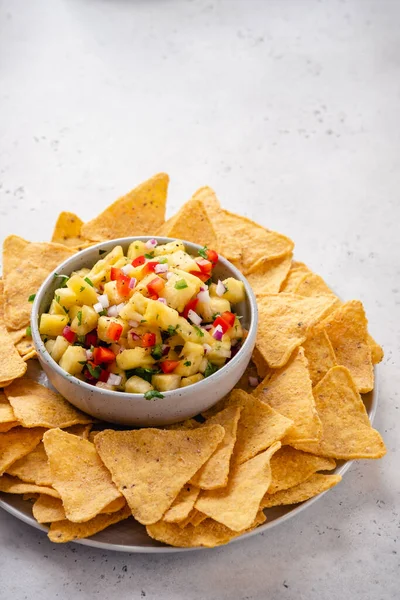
pixel 289 109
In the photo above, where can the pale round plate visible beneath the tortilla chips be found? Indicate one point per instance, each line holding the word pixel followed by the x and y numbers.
pixel 130 536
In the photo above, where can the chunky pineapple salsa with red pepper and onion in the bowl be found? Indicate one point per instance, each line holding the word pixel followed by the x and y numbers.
pixel 145 323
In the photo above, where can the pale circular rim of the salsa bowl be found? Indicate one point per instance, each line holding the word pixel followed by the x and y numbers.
pixel 65 266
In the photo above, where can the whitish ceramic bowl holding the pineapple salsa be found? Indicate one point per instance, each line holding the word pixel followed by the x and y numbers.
pixel 134 409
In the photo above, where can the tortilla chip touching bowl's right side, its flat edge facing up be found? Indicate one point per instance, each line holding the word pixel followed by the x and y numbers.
pixel 284 320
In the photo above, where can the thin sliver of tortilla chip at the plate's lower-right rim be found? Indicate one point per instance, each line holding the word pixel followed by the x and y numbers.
pixel 313 486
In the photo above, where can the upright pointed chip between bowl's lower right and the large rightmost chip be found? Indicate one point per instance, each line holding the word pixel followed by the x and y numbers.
pixel 289 391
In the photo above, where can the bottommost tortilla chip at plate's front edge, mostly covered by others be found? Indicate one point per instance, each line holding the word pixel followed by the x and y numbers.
pixel 206 534
